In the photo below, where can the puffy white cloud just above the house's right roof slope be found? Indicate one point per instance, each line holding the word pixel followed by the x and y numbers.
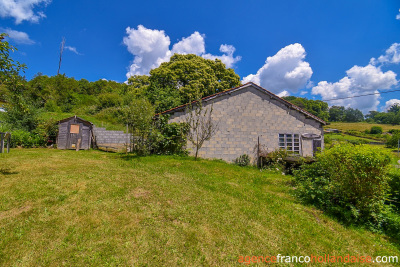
pixel 285 71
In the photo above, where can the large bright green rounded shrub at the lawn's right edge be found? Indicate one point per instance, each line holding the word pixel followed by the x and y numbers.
pixel 348 181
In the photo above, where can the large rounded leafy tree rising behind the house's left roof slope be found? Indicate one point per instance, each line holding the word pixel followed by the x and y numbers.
pixel 189 77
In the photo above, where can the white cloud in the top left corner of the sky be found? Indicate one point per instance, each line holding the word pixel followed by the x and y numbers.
pixel 22 10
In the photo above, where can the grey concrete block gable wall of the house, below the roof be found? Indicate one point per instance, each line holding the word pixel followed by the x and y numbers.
pixel 245 115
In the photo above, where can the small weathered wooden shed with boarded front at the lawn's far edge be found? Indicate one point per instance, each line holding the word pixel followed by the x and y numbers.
pixel 74 133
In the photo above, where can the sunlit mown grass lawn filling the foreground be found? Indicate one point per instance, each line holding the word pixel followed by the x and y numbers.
pixel 95 208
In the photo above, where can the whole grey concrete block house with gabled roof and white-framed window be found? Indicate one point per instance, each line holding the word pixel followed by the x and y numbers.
pixel 249 117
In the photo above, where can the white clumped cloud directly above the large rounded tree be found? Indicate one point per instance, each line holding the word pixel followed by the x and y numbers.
pixel 150 48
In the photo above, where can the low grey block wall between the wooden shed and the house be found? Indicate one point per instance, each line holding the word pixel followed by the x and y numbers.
pixel 113 139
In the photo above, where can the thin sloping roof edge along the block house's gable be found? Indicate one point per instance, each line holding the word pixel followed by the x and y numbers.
pixel 229 91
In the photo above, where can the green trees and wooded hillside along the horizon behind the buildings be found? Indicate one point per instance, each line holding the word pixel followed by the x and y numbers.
pixel 182 79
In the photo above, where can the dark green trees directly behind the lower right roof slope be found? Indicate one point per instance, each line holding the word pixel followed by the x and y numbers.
pixel 316 107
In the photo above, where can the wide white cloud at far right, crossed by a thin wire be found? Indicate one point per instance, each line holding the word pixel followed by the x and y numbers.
pixel 358 81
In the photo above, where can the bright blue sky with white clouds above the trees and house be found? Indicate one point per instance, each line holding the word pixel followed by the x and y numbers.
pixel 316 49
